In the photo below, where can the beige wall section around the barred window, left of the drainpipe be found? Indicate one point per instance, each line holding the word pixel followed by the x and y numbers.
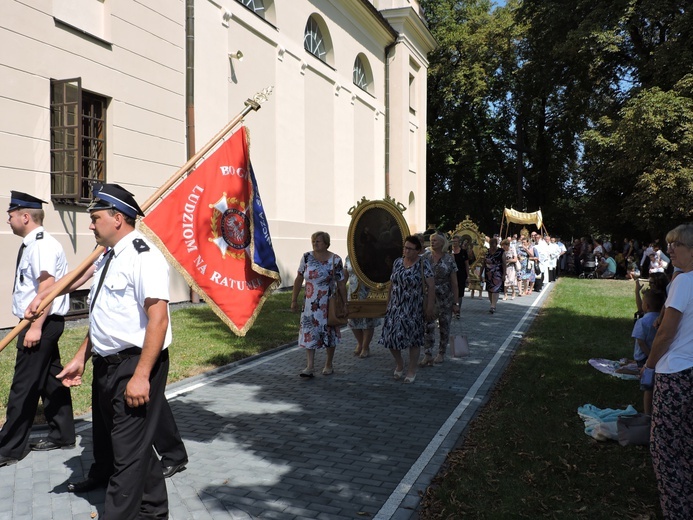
pixel 140 69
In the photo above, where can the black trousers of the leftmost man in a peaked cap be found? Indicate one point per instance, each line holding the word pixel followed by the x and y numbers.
pixel 34 377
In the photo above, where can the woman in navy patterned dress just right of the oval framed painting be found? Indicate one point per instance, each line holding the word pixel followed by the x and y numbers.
pixel 404 319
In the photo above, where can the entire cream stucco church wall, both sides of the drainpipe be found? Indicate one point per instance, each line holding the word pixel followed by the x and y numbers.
pixel 318 145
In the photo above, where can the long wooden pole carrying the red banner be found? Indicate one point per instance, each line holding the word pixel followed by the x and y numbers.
pixel 253 104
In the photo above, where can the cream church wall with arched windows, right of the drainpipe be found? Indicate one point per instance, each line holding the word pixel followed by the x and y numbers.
pixel 319 143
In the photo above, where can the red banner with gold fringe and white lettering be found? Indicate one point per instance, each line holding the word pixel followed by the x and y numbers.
pixel 213 229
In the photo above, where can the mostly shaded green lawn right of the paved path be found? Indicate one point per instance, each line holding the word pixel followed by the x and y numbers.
pixel 526 455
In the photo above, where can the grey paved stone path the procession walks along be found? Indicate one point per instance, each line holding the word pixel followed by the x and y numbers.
pixel 264 443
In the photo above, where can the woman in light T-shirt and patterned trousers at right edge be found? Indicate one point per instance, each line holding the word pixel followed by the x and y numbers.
pixel 671 357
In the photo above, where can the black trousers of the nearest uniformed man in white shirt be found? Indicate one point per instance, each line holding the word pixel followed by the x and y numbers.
pixel 136 488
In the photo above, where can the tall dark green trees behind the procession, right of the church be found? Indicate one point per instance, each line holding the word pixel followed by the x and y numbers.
pixel 541 104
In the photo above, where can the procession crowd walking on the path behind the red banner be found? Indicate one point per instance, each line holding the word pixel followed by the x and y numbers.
pixel 425 295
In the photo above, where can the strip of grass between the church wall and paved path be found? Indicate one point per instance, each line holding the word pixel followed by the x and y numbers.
pixel 201 342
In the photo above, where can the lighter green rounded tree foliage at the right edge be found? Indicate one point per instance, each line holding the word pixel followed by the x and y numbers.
pixel 640 165
